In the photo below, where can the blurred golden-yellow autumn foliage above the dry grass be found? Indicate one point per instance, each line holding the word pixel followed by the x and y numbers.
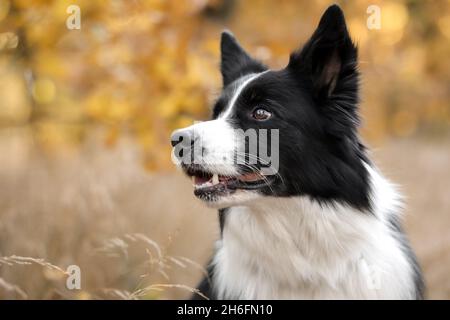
pixel 143 68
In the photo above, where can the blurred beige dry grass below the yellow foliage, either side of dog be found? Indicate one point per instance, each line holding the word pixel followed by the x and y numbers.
pixel 141 236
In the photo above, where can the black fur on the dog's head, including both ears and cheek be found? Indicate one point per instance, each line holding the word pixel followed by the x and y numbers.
pixel 315 105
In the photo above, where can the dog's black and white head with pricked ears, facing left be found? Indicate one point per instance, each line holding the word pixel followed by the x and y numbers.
pixel 281 132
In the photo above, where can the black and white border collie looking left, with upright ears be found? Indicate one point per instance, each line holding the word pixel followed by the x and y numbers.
pixel 325 224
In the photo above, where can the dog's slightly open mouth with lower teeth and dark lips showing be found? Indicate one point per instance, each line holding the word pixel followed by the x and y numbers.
pixel 210 186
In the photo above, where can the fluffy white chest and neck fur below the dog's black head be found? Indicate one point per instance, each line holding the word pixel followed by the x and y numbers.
pixel 295 248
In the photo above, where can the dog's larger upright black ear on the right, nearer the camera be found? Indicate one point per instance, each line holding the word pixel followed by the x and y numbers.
pixel 329 58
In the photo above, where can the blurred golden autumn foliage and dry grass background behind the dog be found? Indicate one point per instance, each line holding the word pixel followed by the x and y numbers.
pixel 86 114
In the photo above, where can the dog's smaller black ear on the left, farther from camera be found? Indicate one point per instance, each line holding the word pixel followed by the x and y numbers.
pixel 235 62
